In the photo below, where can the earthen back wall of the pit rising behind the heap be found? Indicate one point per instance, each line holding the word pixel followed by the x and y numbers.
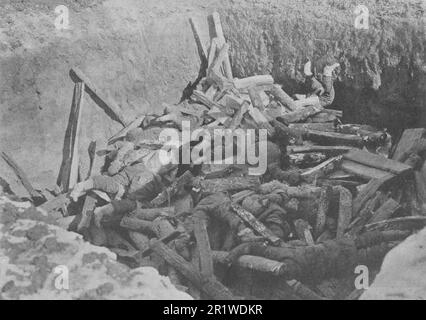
pixel 143 53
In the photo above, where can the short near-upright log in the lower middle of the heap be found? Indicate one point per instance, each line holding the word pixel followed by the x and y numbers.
pixel 203 245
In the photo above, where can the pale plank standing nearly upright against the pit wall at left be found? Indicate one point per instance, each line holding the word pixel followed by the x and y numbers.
pixel 78 102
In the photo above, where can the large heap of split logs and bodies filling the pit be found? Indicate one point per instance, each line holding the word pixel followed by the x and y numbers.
pixel 330 201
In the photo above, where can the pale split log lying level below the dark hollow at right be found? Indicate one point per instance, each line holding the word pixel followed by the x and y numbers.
pixel 333 138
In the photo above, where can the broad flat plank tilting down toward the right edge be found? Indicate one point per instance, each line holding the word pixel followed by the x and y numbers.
pixel 376 161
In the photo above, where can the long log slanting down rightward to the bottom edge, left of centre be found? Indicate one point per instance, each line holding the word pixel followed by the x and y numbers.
pixel 213 288
